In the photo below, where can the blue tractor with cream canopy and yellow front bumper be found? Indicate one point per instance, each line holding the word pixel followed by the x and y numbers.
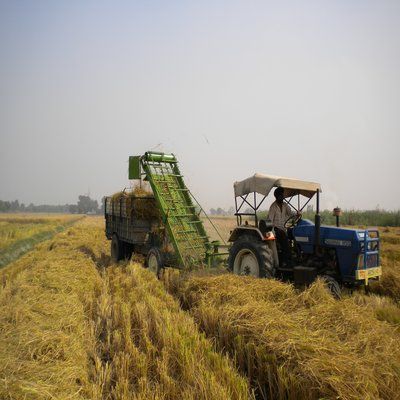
pixel 339 256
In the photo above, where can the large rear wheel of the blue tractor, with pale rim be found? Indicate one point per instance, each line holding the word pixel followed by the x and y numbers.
pixel 249 256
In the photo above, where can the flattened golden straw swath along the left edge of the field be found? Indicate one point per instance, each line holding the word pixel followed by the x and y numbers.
pixel 44 302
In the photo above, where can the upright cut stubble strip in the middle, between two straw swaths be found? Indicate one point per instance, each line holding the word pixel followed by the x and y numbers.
pixel 147 348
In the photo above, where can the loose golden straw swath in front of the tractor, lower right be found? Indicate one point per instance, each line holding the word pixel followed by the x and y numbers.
pixel 295 345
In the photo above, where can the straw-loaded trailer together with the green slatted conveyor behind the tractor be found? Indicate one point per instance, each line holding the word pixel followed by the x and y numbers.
pixel 165 226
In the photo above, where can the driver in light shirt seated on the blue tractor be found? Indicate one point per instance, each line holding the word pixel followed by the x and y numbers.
pixel 278 213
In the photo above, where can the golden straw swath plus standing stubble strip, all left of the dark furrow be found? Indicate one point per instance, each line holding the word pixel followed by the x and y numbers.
pixel 70 332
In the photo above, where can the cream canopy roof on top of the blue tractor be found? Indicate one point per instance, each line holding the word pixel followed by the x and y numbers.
pixel 263 184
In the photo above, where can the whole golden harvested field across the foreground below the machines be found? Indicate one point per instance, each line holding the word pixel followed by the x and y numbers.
pixel 72 325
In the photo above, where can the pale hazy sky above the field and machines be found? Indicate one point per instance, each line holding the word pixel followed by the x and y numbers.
pixel 305 89
